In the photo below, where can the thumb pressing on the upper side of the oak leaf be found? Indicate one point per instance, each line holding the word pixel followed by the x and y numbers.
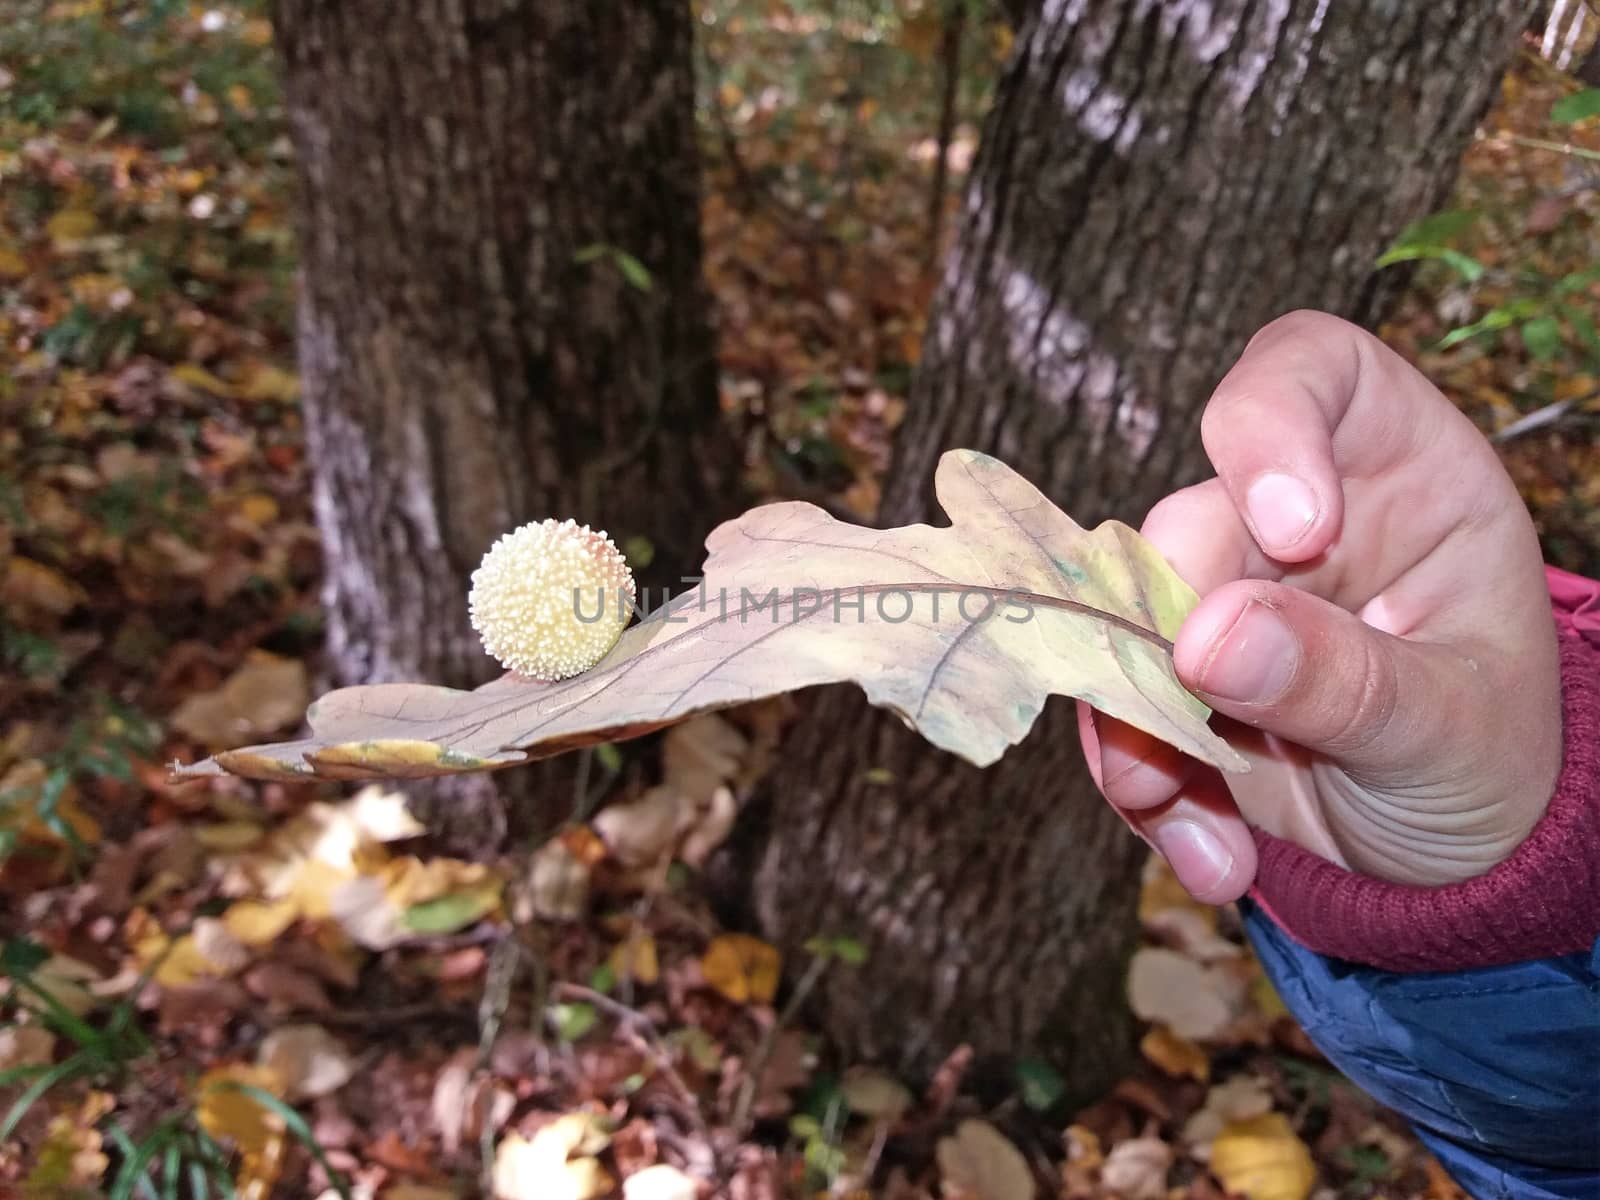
pixel 1297 666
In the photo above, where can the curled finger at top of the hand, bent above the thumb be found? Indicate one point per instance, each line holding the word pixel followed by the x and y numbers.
pixel 1270 431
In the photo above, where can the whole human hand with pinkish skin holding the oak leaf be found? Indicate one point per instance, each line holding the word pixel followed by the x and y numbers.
pixel 1374 623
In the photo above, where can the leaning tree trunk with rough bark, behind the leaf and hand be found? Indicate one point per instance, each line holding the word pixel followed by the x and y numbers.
pixel 1156 183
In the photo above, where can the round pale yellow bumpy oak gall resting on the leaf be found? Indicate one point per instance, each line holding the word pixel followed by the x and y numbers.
pixel 551 599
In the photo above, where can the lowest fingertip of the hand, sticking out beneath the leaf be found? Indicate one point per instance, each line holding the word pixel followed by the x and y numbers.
pixel 1204 839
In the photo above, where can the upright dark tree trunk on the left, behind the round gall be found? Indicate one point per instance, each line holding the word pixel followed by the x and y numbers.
pixel 481 185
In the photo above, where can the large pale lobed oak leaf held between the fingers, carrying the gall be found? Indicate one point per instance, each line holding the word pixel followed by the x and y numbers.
pixel 966 631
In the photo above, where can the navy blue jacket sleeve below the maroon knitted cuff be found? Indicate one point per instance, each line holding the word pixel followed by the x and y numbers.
pixel 1497 1068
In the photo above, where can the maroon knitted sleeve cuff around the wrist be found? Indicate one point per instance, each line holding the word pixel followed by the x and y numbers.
pixel 1542 902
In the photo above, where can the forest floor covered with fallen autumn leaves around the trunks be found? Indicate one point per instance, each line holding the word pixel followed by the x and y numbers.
pixel 185 978
